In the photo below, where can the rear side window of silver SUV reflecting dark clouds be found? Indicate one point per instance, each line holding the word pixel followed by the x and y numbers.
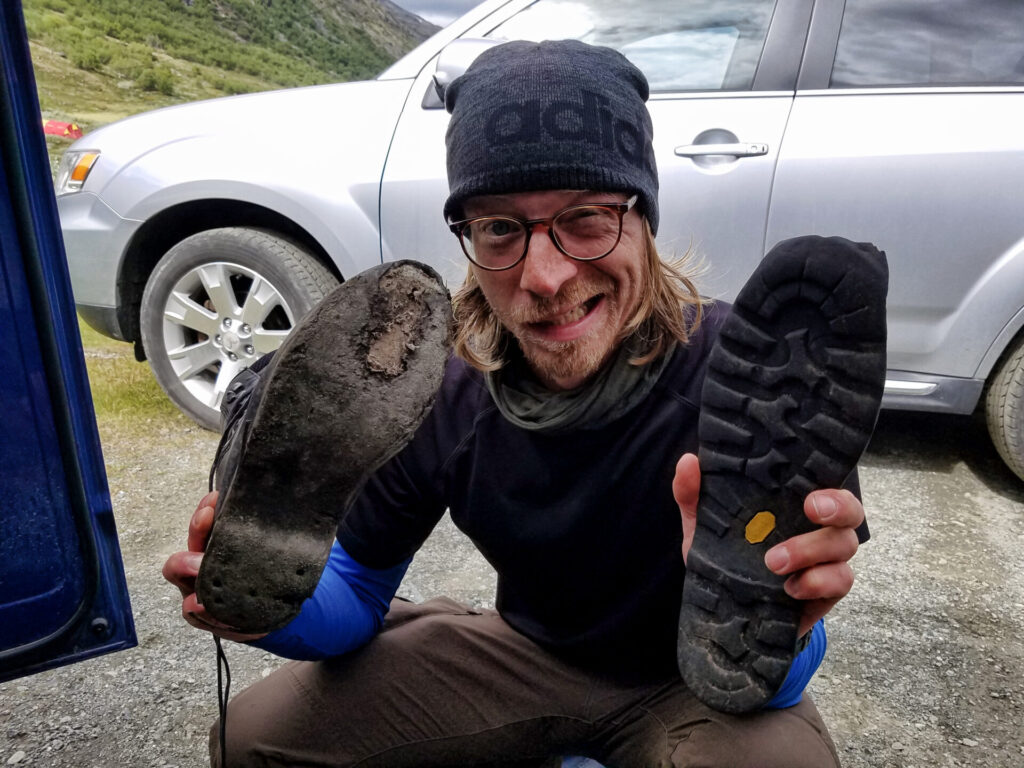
pixel 923 42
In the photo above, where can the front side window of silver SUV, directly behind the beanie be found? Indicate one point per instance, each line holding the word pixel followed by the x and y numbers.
pixel 695 46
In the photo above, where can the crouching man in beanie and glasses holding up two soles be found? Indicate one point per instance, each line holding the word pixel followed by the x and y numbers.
pixel 563 443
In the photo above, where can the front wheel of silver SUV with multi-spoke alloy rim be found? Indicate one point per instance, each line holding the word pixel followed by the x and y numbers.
pixel 219 302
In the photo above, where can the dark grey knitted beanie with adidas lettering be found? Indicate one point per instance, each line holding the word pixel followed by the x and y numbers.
pixel 558 115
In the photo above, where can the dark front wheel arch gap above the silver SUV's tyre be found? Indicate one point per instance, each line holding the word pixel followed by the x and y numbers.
pixel 168 228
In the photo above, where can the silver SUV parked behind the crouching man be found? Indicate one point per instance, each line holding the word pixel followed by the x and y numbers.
pixel 203 233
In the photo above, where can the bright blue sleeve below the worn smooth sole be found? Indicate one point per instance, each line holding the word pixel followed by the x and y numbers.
pixel 346 611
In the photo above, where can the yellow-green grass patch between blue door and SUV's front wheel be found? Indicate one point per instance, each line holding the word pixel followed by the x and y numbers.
pixel 125 394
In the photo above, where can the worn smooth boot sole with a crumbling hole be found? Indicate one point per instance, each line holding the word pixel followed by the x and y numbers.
pixel 345 394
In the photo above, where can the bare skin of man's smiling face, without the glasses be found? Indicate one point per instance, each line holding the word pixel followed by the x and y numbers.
pixel 567 315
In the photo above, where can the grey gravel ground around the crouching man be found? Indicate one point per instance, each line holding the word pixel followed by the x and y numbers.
pixel 923 669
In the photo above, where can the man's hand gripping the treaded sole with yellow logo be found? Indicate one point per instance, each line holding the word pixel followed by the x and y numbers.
pixel 817 563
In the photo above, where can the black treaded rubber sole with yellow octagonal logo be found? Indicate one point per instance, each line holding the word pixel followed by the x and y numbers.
pixel 789 405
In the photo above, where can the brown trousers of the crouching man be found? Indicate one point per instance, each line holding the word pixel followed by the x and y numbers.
pixel 443 686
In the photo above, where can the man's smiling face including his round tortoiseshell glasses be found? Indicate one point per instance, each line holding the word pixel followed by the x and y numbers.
pixel 568 315
